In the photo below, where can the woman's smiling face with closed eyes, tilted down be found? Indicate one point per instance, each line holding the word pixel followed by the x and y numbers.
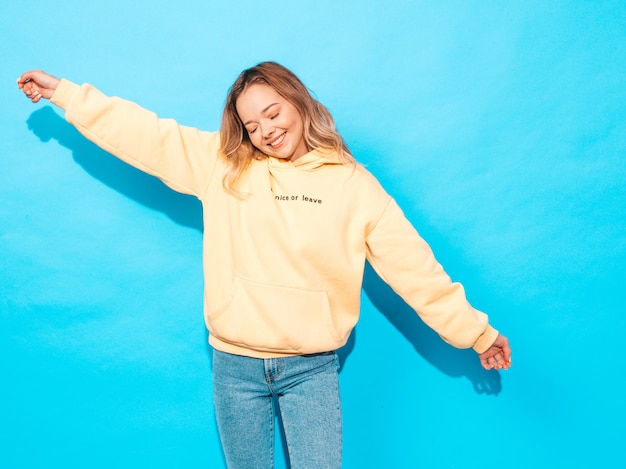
pixel 274 125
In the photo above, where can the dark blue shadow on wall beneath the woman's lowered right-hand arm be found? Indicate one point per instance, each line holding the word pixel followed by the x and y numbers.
pixel 449 360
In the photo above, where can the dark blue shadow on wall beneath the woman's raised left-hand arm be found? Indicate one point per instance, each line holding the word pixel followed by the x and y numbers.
pixel 134 184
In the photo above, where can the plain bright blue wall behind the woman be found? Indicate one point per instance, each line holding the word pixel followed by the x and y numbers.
pixel 500 127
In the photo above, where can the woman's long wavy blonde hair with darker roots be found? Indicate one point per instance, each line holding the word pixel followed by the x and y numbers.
pixel 319 127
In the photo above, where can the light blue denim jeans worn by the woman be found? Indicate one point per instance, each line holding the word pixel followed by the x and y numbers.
pixel 307 391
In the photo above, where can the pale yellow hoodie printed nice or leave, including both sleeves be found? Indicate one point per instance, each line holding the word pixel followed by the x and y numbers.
pixel 284 266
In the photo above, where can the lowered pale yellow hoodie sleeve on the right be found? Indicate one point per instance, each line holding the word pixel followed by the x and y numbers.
pixel 405 261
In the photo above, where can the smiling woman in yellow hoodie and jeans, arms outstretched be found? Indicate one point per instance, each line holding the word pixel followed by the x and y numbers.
pixel 290 219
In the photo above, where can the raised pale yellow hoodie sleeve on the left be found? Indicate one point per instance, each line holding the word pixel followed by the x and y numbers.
pixel 184 158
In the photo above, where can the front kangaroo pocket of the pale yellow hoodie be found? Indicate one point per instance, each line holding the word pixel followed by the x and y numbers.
pixel 275 319
